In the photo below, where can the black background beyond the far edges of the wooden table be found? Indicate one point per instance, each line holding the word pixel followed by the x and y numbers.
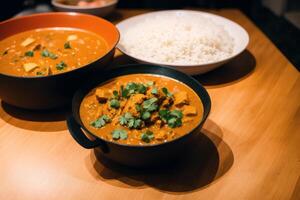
pixel 284 35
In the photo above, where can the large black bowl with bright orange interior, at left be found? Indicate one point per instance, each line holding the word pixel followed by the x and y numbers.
pixel 55 90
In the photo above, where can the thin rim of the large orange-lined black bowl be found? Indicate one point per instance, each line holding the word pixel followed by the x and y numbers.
pixel 63 14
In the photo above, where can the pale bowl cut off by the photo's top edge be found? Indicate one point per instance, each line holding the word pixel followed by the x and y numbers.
pixel 100 11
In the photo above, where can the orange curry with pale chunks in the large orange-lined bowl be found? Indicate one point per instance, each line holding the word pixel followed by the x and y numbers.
pixel 46 51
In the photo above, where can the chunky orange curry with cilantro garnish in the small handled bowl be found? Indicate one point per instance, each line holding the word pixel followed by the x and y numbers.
pixel 141 109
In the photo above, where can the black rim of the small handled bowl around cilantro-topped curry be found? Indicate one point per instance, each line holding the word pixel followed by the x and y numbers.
pixel 88 86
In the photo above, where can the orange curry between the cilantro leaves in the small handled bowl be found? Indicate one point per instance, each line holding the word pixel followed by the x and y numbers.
pixel 91 109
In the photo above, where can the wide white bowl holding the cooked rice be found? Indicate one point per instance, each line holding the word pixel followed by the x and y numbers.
pixel 238 33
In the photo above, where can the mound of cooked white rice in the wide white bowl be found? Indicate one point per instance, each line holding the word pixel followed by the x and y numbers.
pixel 178 40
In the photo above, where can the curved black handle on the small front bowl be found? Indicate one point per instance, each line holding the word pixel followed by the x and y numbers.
pixel 81 138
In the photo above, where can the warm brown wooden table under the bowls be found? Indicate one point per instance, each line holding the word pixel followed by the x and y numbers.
pixel 249 148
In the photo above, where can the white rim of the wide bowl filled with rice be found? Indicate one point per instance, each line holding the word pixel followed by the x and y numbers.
pixel 120 48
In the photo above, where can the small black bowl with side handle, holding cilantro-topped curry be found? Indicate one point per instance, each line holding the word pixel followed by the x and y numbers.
pixel 136 156
